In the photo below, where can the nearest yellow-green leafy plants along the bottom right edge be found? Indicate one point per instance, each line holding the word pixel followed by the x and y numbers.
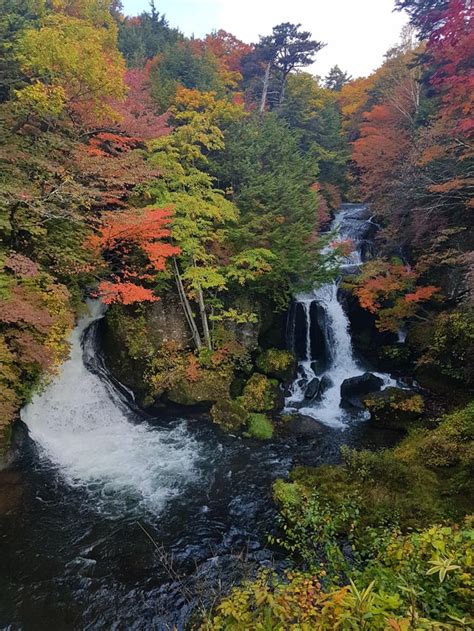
pixel 418 581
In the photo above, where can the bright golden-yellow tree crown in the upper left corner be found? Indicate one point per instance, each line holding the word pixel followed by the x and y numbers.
pixel 71 64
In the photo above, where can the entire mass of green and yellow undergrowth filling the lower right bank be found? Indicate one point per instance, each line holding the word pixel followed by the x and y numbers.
pixel 374 541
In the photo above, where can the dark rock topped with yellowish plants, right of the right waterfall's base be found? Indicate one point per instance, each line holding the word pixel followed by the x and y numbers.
pixel 394 408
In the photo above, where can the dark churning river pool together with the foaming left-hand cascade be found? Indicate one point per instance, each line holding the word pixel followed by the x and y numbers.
pixel 111 518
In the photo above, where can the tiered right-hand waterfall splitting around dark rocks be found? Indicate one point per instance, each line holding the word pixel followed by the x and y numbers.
pixel 352 223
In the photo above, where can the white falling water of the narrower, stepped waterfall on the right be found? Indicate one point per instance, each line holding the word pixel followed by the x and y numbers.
pixel 343 365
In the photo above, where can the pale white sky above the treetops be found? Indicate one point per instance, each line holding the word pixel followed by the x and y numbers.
pixel 357 33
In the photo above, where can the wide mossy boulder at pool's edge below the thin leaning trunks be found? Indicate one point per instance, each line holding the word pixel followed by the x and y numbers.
pixel 209 387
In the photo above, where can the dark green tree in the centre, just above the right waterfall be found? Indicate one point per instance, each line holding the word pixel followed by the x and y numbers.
pixel 269 180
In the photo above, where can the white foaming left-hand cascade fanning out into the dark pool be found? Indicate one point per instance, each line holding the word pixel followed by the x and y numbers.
pixel 81 424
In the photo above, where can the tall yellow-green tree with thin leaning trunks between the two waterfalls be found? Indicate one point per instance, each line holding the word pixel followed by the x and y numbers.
pixel 202 214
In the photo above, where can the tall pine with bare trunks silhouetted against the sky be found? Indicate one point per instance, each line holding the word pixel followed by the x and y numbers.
pixel 281 52
